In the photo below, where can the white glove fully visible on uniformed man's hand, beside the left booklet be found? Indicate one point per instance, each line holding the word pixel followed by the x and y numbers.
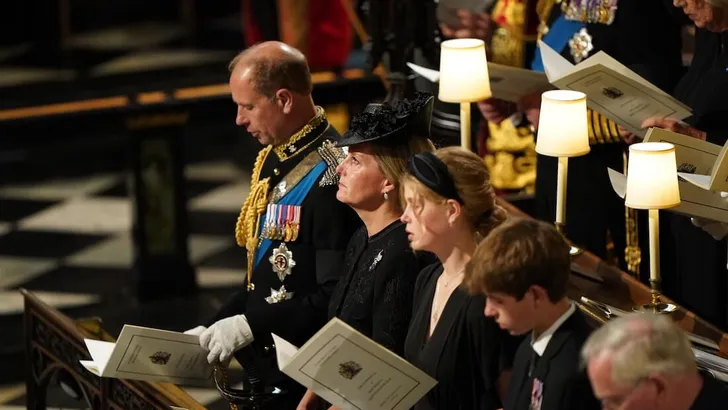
pixel 225 337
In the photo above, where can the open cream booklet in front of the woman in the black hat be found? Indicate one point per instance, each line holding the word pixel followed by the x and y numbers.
pixel 351 371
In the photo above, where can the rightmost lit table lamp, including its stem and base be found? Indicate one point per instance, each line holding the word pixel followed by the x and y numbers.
pixel 652 185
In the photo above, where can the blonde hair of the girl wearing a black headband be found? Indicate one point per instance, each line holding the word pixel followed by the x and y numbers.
pixel 472 181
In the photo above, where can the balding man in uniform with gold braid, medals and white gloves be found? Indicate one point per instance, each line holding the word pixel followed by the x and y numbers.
pixel 292 226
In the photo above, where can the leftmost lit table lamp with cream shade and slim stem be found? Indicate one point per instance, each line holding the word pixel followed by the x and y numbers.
pixel 463 78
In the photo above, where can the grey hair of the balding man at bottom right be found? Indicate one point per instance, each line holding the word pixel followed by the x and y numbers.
pixel 641 344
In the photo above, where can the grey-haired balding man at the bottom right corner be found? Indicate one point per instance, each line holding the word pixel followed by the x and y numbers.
pixel 644 362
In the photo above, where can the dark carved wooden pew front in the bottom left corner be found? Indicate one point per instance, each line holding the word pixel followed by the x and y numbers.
pixel 54 343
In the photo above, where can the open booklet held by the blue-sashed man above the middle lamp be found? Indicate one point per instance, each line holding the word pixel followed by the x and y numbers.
pixel 612 89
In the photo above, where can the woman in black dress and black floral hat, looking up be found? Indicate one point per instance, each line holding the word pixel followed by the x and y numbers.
pixel 374 295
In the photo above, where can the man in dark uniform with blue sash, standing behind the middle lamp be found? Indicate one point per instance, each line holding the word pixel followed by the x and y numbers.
pixel 649 46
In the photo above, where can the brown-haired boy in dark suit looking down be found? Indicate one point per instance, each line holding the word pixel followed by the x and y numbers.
pixel 523 268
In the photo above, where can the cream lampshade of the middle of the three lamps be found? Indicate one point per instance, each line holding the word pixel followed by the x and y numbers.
pixel 562 124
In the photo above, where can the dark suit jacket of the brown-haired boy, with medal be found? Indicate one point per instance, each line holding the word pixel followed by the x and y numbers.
pixel 564 386
